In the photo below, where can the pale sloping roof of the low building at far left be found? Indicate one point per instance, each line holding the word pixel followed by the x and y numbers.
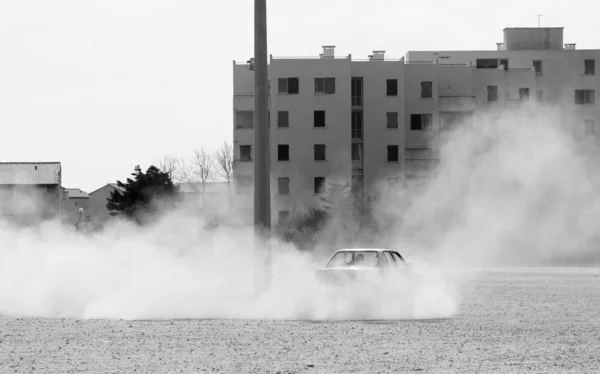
pixel 30 173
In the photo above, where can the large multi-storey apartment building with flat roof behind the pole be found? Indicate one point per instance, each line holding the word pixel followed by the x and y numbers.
pixel 374 124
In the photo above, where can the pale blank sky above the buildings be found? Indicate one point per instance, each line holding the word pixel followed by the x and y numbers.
pixel 103 86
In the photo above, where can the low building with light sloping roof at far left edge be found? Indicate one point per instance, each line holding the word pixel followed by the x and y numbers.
pixel 30 192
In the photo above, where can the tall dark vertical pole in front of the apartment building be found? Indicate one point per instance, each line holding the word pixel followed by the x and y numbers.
pixel 262 183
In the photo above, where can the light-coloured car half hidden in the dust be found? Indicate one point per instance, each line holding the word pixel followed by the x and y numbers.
pixel 361 264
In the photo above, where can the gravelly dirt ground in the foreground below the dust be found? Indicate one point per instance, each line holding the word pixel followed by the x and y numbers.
pixel 511 320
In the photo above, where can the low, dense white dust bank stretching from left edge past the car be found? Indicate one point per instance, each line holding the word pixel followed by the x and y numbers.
pixel 176 268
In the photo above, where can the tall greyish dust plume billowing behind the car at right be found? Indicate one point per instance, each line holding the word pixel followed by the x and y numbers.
pixel 518 190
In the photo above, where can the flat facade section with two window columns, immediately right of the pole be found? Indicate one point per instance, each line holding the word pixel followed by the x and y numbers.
pixel 301 135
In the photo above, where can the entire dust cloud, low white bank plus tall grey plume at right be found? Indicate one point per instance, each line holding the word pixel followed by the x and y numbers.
pixel 511 191
